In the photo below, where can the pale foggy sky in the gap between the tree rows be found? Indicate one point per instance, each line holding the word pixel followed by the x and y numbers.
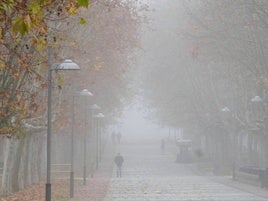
pixel 133 122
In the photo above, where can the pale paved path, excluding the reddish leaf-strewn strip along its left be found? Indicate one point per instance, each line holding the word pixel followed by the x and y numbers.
pixel 150 175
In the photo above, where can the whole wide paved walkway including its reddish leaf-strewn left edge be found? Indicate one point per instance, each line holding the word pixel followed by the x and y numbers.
pixel 150 175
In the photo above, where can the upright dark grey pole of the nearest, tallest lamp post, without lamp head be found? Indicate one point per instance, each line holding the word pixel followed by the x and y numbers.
pixel 48 184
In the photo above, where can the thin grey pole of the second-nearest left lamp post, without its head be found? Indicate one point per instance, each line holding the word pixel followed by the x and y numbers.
pixel 72 153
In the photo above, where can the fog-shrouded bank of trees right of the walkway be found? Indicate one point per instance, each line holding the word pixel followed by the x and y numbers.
pixel 214 82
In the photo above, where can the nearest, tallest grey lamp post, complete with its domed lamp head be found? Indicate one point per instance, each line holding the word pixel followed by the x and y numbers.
pixel 66 65
